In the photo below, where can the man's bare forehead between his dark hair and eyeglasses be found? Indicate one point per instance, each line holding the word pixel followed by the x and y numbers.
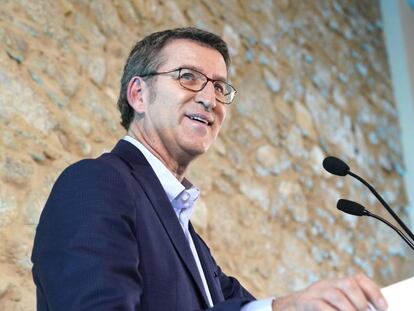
pixel 188 53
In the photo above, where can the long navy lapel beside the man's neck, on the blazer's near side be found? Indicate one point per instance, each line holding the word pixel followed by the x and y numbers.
pixel 144 174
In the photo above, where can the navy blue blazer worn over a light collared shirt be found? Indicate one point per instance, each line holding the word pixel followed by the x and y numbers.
pixel 108 239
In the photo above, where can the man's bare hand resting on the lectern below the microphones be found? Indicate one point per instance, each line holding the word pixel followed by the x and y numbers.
pixel 343 294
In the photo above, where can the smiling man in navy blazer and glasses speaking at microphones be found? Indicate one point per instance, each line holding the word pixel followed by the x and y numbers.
pixel 115 231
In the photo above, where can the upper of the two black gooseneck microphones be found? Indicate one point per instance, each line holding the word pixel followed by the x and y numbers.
pixel 338 167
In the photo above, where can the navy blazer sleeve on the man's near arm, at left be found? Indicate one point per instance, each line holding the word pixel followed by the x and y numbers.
pixel 83 230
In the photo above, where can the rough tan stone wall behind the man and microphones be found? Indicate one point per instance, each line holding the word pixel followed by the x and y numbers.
pixel 313 80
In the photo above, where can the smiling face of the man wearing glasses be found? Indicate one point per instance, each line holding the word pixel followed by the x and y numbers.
pixel 169 127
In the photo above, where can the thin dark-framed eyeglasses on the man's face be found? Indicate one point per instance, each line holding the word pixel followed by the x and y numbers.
pixel 195 81
